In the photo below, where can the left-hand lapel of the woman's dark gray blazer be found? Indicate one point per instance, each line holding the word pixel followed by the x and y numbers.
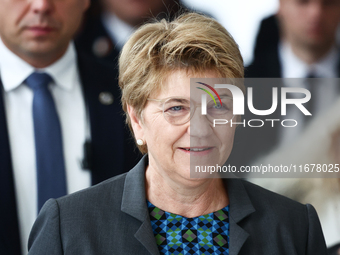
pixel 134 204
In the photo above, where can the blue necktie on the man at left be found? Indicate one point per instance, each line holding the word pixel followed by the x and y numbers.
pixel 51 177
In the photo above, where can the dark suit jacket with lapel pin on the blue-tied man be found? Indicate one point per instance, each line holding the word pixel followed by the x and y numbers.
pixel 112 149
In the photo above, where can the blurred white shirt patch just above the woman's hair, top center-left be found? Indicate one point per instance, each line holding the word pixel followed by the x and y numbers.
pixel 118 30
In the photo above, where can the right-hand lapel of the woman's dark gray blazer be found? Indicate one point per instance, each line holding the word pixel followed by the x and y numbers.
pixel 240 208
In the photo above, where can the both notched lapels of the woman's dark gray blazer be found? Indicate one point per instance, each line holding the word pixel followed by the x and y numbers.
pixel 134 204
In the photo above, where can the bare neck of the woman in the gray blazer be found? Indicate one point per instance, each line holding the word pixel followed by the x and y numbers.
pixel 201 197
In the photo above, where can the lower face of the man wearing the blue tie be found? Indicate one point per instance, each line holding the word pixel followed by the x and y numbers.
pixel 32 28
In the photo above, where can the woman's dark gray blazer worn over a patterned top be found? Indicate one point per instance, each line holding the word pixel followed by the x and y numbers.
pixel 112 218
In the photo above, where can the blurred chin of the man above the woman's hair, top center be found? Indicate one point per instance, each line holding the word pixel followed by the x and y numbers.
pixel 134 12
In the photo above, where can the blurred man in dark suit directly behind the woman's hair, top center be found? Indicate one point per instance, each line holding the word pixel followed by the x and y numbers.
pixel 111 22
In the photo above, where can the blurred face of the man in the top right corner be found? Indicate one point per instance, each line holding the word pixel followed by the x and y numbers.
pixel 310 23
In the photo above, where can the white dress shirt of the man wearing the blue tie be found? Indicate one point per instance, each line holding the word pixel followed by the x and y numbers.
pixel 18 97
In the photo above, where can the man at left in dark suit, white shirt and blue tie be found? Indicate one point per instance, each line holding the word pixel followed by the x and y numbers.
pixel 61 123
